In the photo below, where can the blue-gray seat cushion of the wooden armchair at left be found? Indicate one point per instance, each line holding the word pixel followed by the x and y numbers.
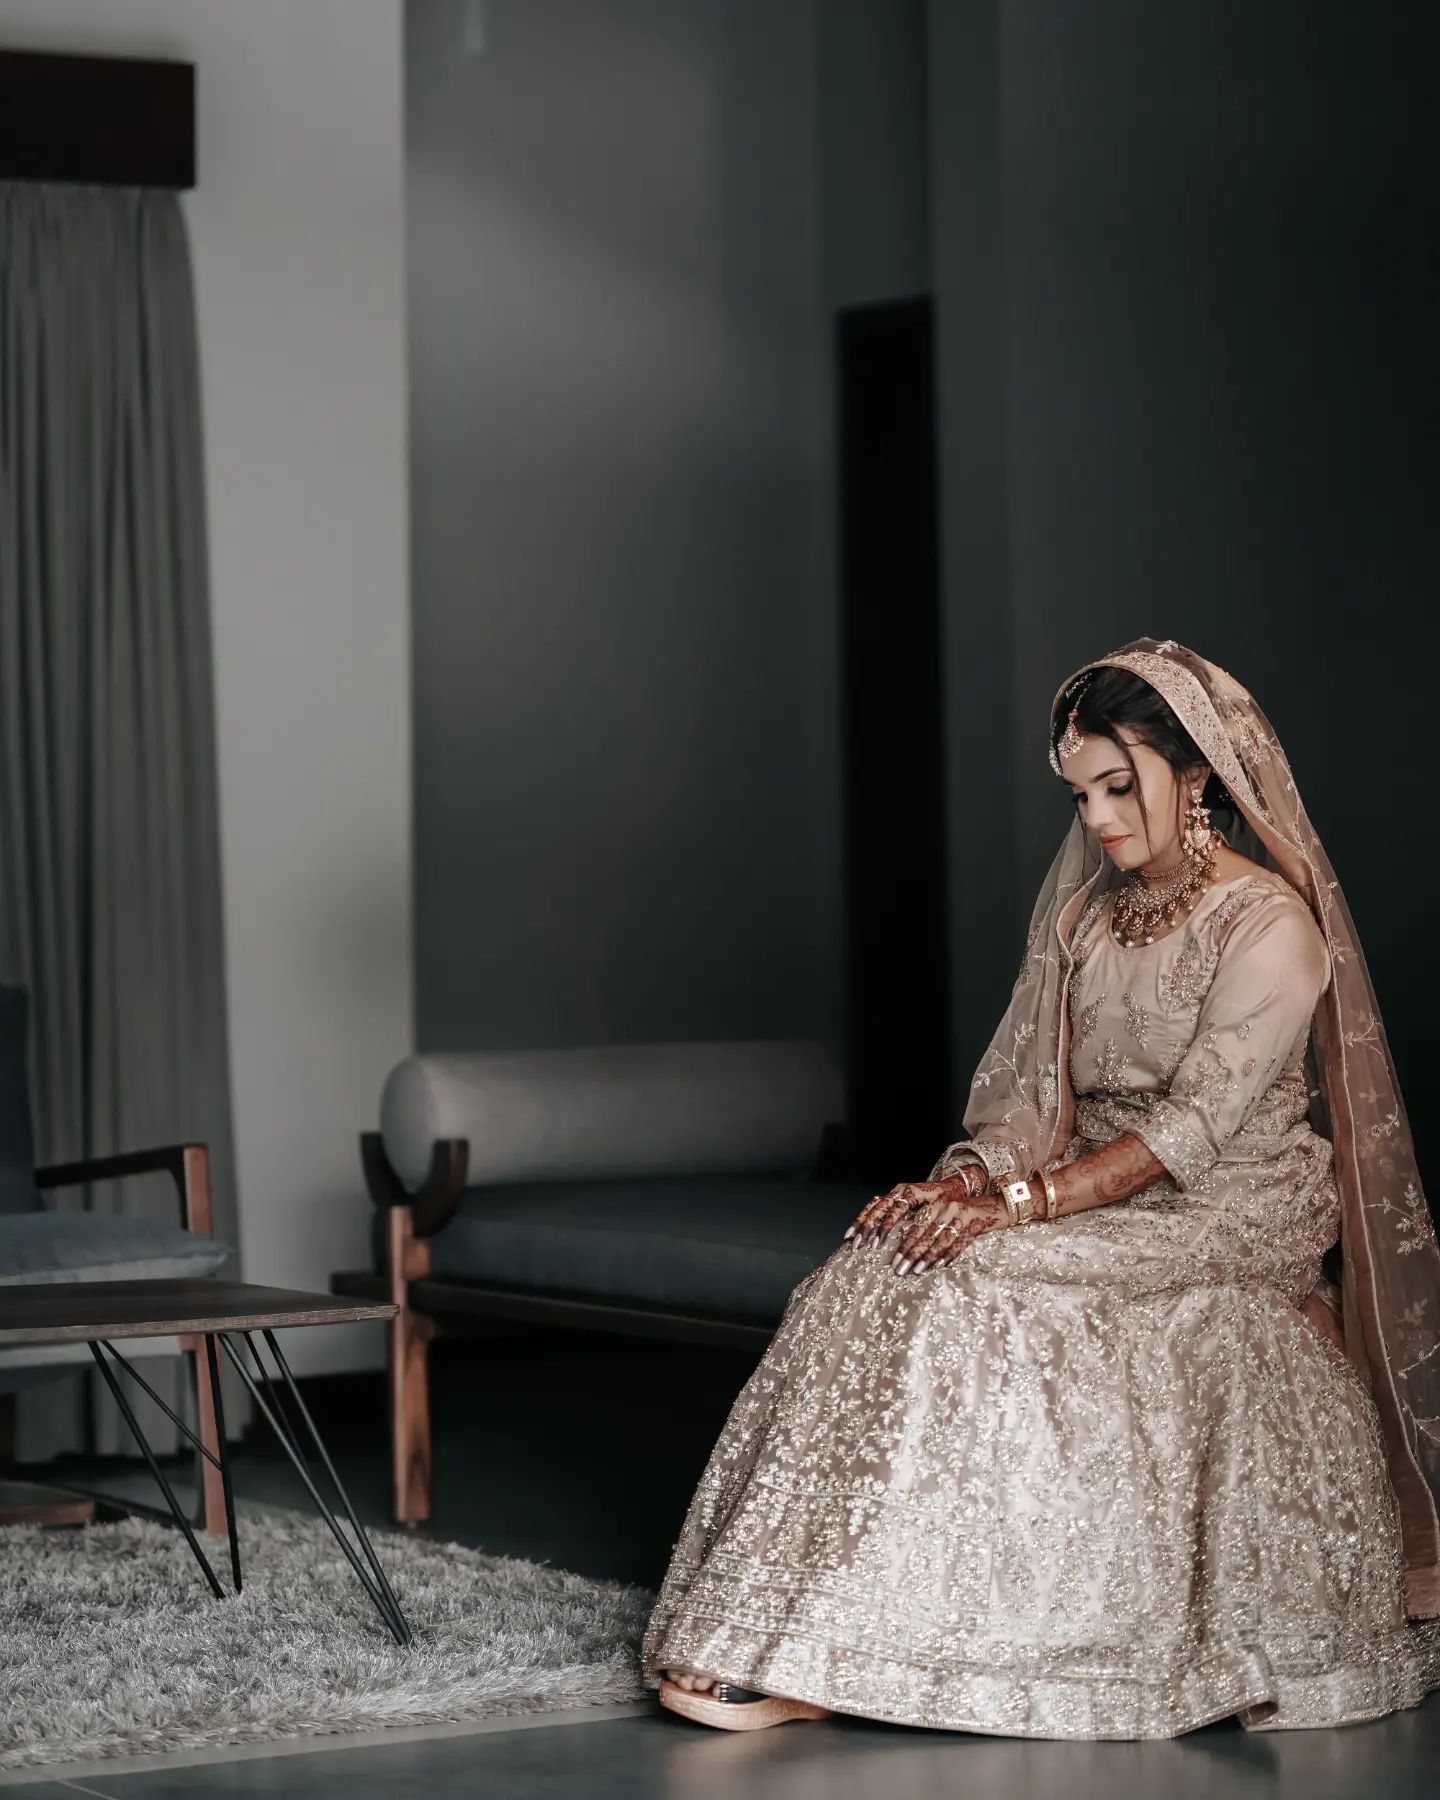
pixel 69 1246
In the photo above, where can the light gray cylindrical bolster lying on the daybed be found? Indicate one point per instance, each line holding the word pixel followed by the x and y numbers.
pixel 622 1110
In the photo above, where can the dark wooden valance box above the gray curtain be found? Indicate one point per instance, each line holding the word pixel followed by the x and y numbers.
pixel 112 120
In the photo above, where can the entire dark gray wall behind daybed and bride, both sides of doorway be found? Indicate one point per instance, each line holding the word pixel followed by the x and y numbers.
pixel 1180 260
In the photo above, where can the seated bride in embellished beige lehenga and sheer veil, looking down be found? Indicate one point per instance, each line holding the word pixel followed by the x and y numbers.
pixel 1075 1439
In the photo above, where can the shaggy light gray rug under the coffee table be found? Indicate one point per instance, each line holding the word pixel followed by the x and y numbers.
pixel 112 1644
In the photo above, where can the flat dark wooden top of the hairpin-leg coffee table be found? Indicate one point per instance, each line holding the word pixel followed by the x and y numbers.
pixel 49 1313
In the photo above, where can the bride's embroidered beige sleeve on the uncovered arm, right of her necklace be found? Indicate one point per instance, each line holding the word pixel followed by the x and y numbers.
pixel 1272 969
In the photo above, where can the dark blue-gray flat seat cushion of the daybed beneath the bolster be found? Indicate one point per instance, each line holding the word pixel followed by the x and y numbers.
pixel 726 1246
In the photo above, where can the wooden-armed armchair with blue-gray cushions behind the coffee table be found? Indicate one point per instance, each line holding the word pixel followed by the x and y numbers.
pixel 62 1245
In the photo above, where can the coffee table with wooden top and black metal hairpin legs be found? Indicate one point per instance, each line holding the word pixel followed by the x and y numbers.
pixel 98 1313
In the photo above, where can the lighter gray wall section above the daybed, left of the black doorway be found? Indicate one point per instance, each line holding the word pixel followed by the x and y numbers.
pixel 624 636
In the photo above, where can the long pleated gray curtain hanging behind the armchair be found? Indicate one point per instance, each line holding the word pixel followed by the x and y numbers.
pixel 111 906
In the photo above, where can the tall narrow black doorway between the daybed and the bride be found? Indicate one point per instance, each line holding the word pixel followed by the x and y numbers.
pixel 901 1101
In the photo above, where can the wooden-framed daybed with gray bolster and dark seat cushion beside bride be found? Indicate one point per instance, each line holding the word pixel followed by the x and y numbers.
pixel 667 1191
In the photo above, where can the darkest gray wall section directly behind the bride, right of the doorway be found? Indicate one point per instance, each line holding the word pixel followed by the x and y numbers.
pixel 1187 283
